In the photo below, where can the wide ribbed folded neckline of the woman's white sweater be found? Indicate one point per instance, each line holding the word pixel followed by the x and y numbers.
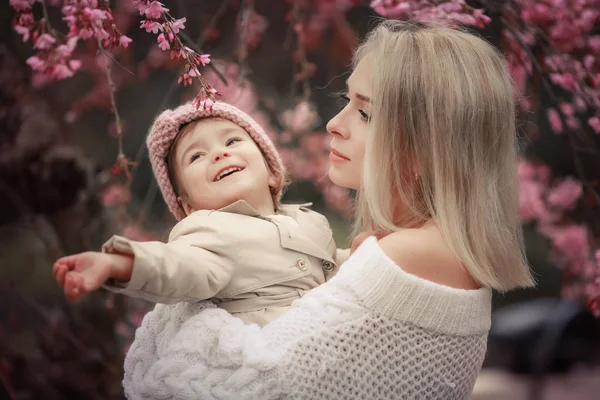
pixel 383 286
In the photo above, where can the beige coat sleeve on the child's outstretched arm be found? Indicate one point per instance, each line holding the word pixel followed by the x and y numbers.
pixel 197 263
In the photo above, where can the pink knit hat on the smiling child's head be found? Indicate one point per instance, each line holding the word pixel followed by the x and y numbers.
pixel 167 126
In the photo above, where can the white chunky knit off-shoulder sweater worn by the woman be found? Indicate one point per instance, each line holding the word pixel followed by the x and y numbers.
pixel 371 332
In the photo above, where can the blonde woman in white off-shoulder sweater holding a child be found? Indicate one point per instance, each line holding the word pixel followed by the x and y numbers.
pixel 428 139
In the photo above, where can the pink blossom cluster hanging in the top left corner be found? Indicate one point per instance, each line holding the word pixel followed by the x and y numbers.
pixel 86 19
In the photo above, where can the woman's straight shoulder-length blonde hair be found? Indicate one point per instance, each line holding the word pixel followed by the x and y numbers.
pixel 443 135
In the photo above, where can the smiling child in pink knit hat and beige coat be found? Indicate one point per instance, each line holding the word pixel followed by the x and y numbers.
pixel 222 178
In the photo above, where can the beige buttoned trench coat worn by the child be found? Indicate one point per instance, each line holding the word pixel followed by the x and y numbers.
pixel 253 266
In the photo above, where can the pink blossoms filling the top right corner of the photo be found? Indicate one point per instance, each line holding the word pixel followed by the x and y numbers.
pixel 564 30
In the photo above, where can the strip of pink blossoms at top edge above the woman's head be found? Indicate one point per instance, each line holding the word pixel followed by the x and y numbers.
pixel 452 11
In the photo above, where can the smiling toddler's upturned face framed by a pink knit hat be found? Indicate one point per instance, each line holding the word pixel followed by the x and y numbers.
pixel 218 163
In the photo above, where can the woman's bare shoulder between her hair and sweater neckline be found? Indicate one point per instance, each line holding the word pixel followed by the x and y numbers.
pixel 424 253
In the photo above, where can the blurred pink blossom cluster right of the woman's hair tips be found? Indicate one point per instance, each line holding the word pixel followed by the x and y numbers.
pixel 547 203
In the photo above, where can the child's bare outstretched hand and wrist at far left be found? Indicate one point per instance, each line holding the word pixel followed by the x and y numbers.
pixel 82 273
